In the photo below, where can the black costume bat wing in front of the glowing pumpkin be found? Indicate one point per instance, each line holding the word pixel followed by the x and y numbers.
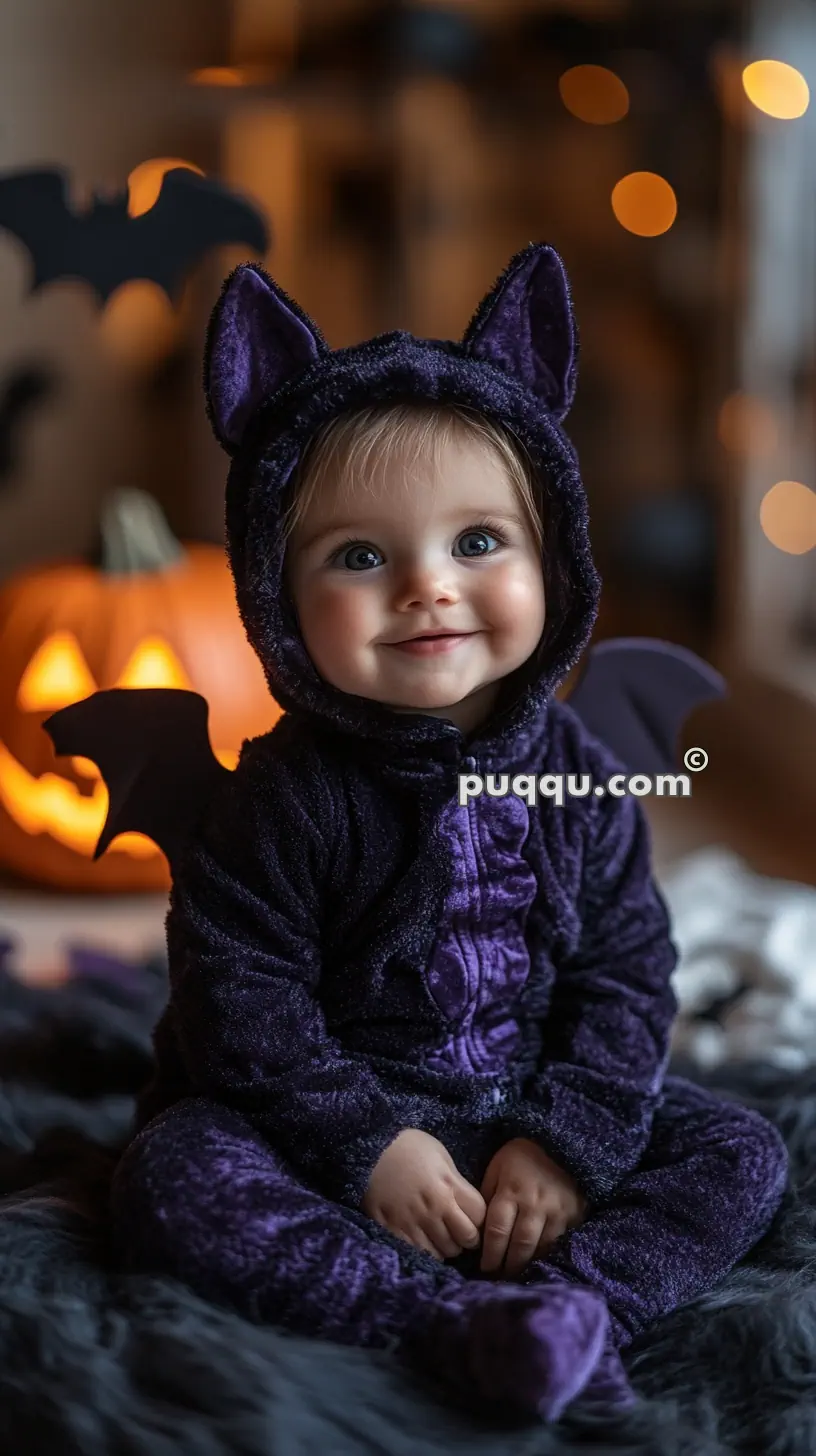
pixel 152 749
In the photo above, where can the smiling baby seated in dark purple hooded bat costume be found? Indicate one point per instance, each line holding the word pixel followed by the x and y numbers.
pixel 412 1081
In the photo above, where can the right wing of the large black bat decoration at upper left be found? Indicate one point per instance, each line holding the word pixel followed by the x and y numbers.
pixel 190 216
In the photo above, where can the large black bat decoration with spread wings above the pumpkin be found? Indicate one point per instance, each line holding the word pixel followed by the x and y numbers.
pixel 104 247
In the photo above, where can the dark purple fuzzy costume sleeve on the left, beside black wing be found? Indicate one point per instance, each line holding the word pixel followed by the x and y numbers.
pixel 244 937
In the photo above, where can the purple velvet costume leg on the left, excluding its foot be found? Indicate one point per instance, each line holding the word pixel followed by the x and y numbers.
pixel 202 1196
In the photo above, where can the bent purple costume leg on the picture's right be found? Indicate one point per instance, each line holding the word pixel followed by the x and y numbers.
pixel 703 1196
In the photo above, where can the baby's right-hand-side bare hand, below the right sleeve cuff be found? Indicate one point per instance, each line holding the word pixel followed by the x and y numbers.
pixel 531 1203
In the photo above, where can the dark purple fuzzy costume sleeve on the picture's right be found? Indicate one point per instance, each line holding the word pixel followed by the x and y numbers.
pixel 607 1036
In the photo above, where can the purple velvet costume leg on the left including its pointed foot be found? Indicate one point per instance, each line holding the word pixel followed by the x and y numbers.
pixel 199 1195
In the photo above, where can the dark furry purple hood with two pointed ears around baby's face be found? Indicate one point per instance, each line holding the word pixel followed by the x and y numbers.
pixel 272 381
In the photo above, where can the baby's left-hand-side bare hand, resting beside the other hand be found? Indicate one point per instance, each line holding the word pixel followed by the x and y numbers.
pixel 417 1192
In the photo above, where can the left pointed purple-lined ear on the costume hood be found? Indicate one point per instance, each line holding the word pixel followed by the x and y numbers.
pixel 259 339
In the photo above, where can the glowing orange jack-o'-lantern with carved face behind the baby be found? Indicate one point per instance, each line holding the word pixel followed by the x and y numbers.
pixel 152 614
